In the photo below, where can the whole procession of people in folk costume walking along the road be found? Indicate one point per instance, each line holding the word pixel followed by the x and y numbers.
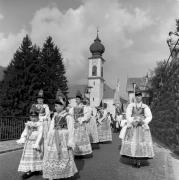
pixel 52 144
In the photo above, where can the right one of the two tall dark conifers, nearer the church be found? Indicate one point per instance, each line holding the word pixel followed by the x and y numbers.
pixel 52 70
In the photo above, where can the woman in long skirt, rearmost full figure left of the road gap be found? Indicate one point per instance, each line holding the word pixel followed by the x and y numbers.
pixel 103 121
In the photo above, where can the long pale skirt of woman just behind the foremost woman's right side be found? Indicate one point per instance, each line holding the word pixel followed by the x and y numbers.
pixel 82 141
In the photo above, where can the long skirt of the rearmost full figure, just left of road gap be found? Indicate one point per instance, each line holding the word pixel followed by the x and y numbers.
pixel 104 131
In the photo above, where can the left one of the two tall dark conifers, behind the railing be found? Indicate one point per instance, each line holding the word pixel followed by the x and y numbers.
pixel 16 90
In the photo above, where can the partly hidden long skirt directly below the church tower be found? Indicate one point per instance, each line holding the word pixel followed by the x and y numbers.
pixel 92 130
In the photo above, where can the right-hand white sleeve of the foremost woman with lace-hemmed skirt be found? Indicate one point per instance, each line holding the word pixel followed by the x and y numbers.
pixel 70 124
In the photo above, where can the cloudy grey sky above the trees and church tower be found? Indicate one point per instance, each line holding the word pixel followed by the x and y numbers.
pixel 133 32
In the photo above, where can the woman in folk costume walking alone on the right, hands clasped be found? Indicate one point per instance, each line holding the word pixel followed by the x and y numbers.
pixel 137 142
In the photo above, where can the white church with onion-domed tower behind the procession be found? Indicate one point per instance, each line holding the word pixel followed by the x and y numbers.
pixel 96 89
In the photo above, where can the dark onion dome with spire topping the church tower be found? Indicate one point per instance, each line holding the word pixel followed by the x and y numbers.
pixel 97 48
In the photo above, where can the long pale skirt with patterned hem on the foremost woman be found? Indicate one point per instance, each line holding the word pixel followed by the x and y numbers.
pixel 57 165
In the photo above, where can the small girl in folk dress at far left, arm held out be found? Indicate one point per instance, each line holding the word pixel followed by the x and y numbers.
pixel 32 155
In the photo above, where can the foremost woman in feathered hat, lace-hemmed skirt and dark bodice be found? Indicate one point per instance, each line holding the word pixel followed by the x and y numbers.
pixel 58 159
